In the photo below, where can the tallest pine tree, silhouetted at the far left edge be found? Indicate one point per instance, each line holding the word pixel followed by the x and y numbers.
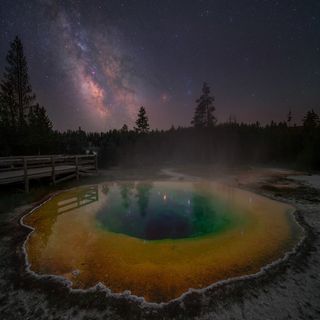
pixel 16 90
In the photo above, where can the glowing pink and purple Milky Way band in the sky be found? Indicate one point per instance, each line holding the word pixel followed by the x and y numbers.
pixel 97 66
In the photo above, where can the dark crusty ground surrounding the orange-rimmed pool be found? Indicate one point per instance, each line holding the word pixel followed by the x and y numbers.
pixel 290 290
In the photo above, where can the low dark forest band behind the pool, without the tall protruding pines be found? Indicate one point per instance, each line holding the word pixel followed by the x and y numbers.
pixel 227 144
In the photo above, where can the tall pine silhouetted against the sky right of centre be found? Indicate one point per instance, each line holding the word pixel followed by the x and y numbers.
pixel 203 116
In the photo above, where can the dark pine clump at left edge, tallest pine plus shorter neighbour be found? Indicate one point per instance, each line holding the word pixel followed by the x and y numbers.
pixel 23 123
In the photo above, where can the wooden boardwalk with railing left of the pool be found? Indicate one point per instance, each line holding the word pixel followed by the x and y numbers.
pixel 56 167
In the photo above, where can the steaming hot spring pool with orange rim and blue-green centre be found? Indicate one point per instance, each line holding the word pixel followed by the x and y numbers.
pixel 157 239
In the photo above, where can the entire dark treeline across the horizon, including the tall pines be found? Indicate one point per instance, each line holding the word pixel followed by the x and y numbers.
pixel 25 129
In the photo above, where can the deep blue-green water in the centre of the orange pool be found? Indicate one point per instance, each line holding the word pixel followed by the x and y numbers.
pixel 156 212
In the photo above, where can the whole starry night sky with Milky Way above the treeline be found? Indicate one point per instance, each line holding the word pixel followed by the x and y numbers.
pixel 94 63
